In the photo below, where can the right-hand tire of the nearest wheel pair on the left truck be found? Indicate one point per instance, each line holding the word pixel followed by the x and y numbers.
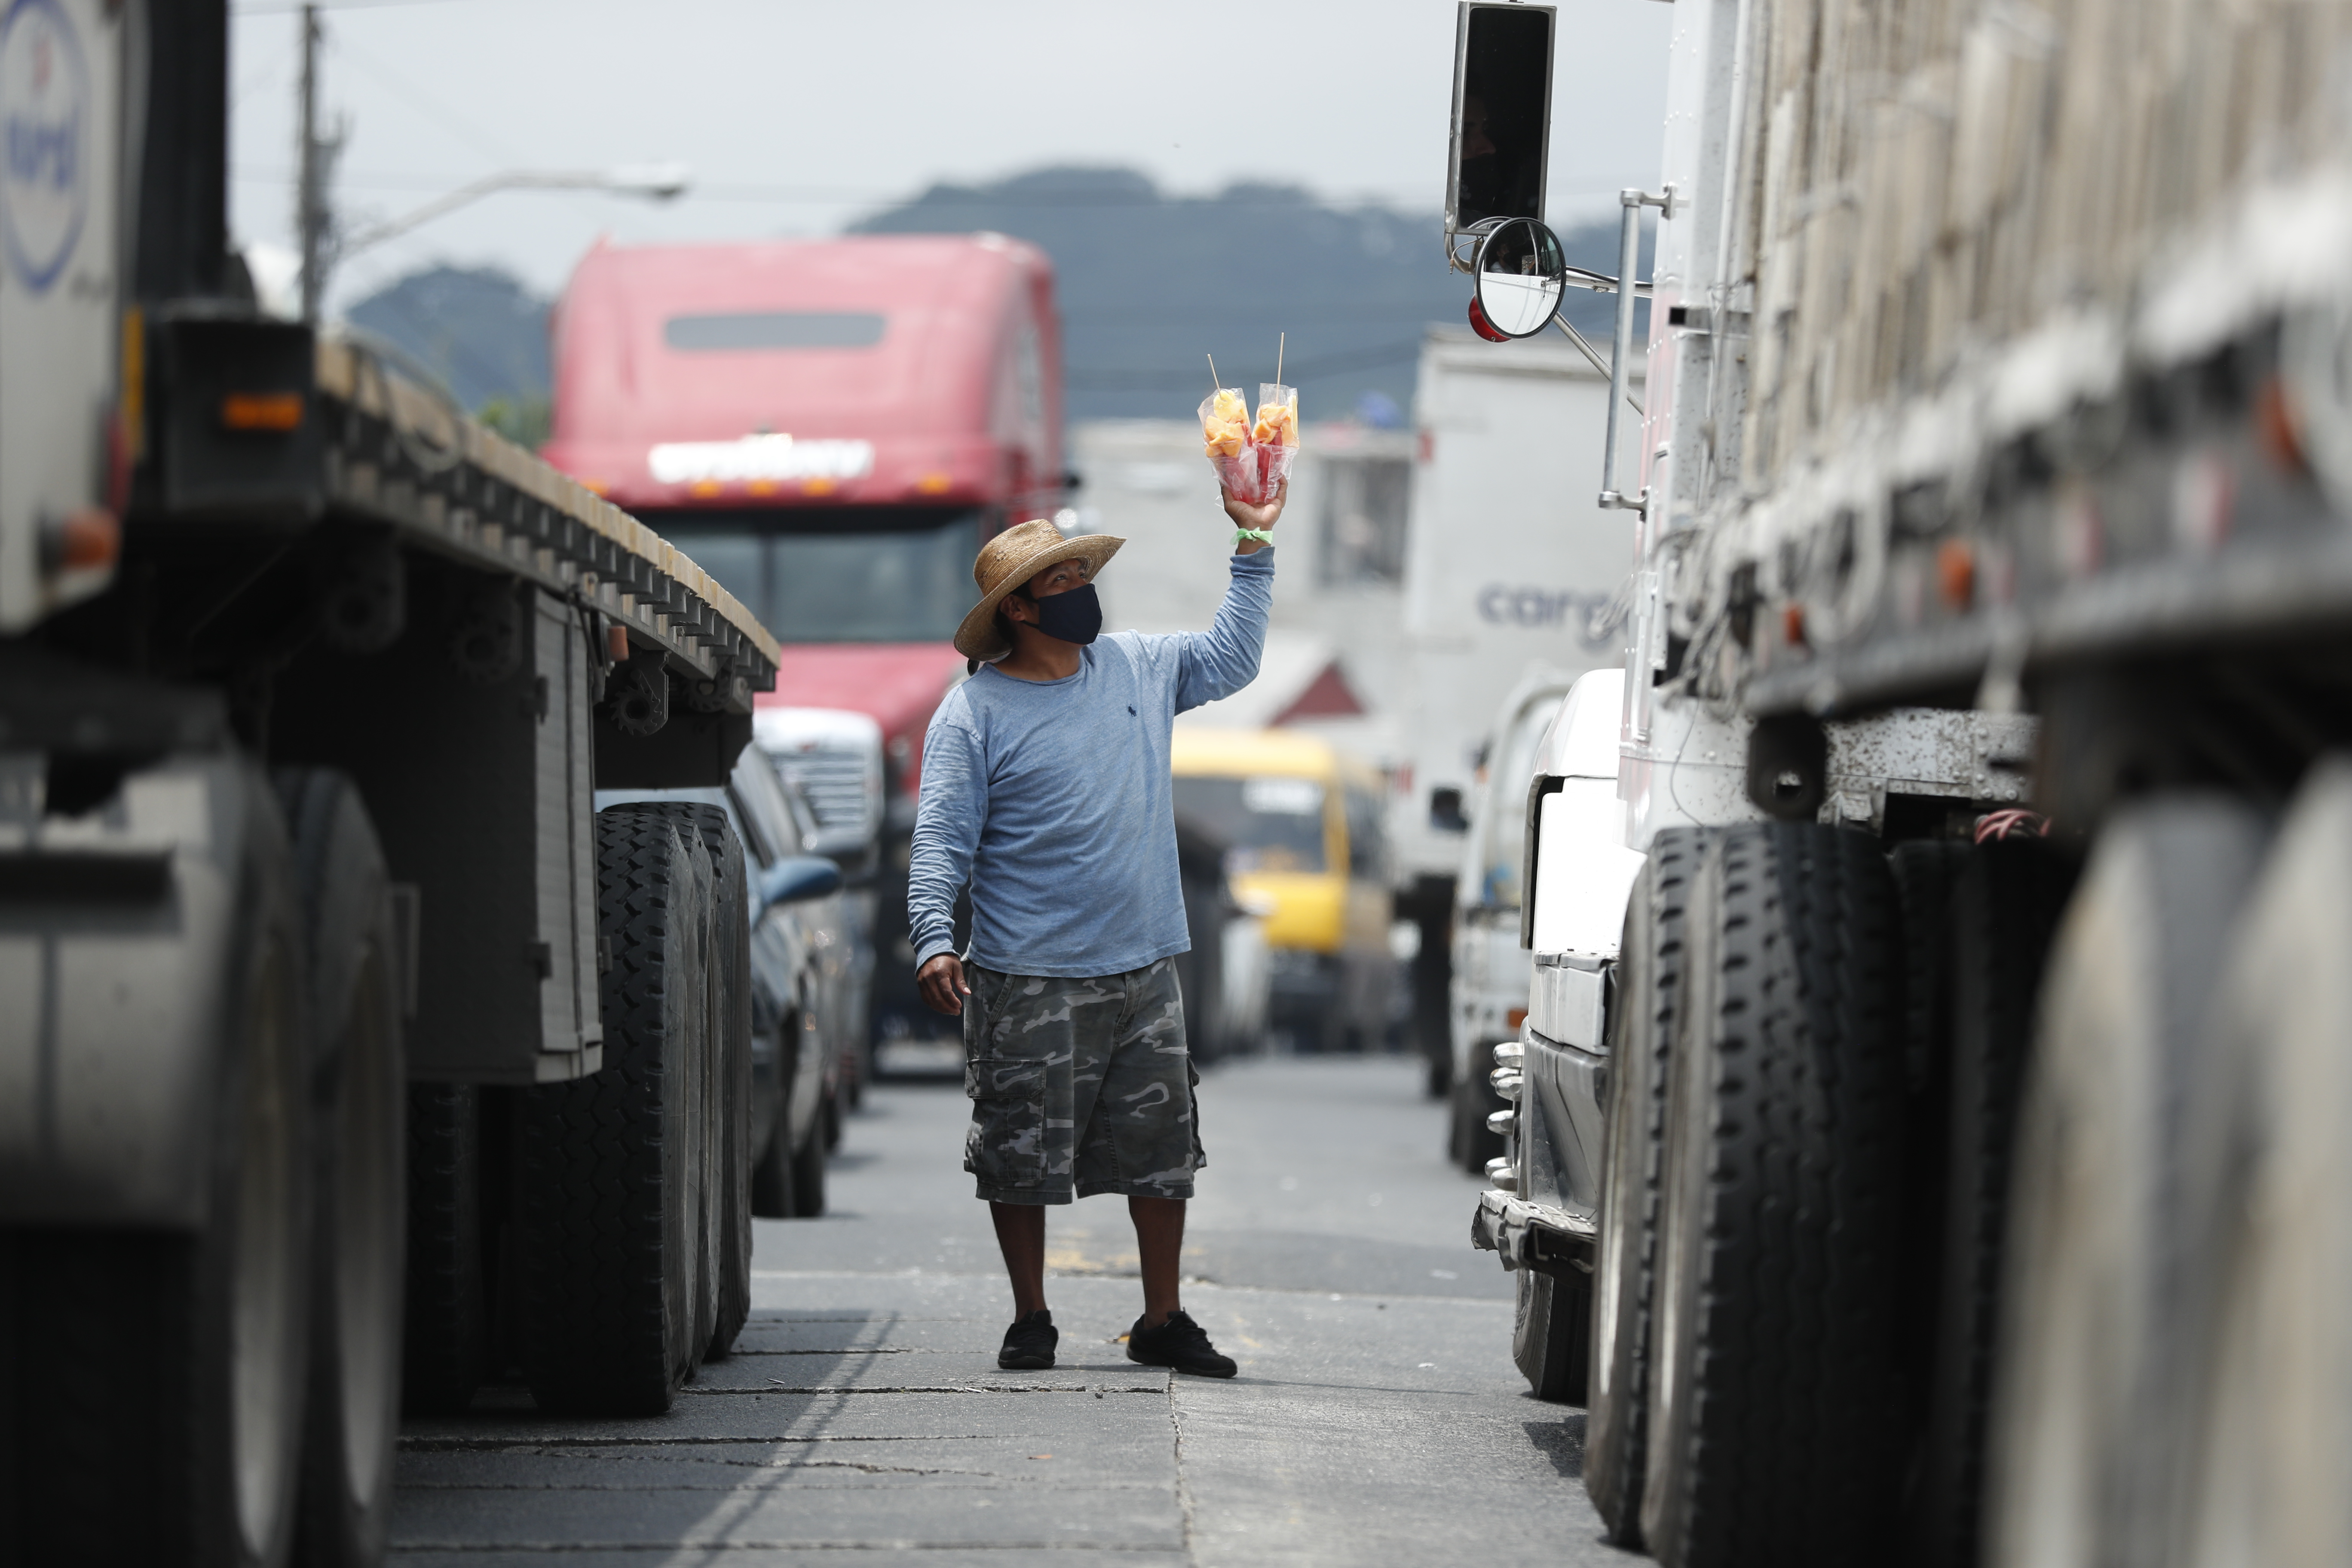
pixel 359 1092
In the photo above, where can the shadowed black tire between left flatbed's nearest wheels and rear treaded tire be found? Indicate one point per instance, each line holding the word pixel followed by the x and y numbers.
pixel 446 1325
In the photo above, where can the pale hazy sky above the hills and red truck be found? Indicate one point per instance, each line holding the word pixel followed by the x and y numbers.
pixel 799 116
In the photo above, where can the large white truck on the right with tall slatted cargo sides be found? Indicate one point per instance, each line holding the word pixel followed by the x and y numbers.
pixel 1927 1134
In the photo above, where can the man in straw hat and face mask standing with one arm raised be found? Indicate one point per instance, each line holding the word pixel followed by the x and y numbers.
pixel 1045 789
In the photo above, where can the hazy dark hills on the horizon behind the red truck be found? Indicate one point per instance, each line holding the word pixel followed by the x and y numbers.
pixel 1149 283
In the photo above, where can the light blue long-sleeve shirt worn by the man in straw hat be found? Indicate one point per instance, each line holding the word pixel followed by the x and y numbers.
pixel 1055 803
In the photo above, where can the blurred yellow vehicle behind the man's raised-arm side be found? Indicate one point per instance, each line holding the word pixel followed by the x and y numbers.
pixel 1304 847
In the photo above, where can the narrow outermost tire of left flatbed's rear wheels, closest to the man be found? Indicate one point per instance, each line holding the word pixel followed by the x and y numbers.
pixel 728 1179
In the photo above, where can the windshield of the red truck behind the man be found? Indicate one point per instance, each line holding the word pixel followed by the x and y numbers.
pixel 838 575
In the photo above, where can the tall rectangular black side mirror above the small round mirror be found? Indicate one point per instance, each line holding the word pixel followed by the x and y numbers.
pixel 1502 116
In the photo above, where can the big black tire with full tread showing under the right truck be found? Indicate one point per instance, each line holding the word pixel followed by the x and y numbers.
pixel 1772 1383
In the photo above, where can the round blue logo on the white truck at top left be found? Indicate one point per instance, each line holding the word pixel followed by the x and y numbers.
pixel 44 140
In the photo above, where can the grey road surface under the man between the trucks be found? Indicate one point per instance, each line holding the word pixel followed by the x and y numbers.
pixel 1377 1416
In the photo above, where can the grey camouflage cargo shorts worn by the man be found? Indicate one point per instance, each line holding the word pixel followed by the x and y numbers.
pixel 1078 1085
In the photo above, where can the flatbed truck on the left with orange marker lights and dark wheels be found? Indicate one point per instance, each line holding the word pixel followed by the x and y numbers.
pixel 349 1057
